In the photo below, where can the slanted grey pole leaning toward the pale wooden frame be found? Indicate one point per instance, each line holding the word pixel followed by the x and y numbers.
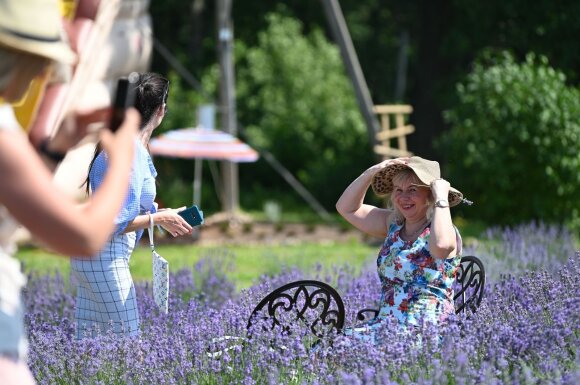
pixel 342 37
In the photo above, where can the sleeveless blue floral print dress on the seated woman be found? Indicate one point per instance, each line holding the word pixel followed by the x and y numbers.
pixel 415 287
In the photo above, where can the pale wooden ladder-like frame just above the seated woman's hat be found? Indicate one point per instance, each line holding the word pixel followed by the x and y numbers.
pixel 399 131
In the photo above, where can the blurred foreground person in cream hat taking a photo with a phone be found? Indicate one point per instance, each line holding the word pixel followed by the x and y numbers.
pixel 29 42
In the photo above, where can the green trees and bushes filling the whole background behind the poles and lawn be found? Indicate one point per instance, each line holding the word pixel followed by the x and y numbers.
pixel 506 72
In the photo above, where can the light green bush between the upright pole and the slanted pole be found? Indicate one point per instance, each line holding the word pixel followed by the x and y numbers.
pixel 297 103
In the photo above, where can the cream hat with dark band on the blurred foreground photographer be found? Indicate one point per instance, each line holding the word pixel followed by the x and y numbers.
pixel 34 26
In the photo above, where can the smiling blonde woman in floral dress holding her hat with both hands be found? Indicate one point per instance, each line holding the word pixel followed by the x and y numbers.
pixel 421 251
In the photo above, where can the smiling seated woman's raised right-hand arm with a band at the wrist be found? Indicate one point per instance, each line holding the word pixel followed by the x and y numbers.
pixel 443 238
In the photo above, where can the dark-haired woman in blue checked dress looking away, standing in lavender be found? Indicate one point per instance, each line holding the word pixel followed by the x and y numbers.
pixel 105 292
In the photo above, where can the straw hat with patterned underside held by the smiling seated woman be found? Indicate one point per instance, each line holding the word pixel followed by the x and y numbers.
pixel 426 170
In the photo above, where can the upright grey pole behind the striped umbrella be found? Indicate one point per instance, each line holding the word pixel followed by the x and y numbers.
pixel 227 106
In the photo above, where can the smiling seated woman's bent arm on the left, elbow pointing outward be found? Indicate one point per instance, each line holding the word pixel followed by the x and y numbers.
pixel 367 218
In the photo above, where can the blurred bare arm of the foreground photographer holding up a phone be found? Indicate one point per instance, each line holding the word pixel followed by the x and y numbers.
pixel 57 221
